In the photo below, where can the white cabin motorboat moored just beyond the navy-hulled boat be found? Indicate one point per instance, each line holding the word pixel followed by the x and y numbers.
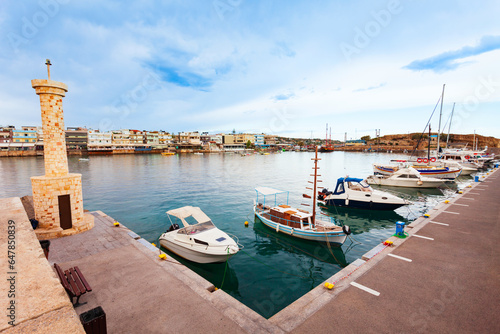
pixel 405 177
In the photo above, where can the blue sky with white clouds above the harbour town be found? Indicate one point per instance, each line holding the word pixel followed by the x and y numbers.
pixel 281 67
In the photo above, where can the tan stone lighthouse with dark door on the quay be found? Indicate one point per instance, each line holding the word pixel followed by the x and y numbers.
pixel 57 195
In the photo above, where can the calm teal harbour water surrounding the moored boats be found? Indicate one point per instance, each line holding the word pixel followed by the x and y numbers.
pixel 272 270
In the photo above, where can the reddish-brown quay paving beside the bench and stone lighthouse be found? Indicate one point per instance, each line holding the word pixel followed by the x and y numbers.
pixel 141 293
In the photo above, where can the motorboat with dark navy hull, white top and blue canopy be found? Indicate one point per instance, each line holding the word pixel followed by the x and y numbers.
pixel 356 193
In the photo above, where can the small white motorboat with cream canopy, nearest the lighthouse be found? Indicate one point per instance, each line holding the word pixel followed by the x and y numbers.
pixel 199 240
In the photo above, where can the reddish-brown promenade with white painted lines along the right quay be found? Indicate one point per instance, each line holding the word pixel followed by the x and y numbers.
pixel 451 285
